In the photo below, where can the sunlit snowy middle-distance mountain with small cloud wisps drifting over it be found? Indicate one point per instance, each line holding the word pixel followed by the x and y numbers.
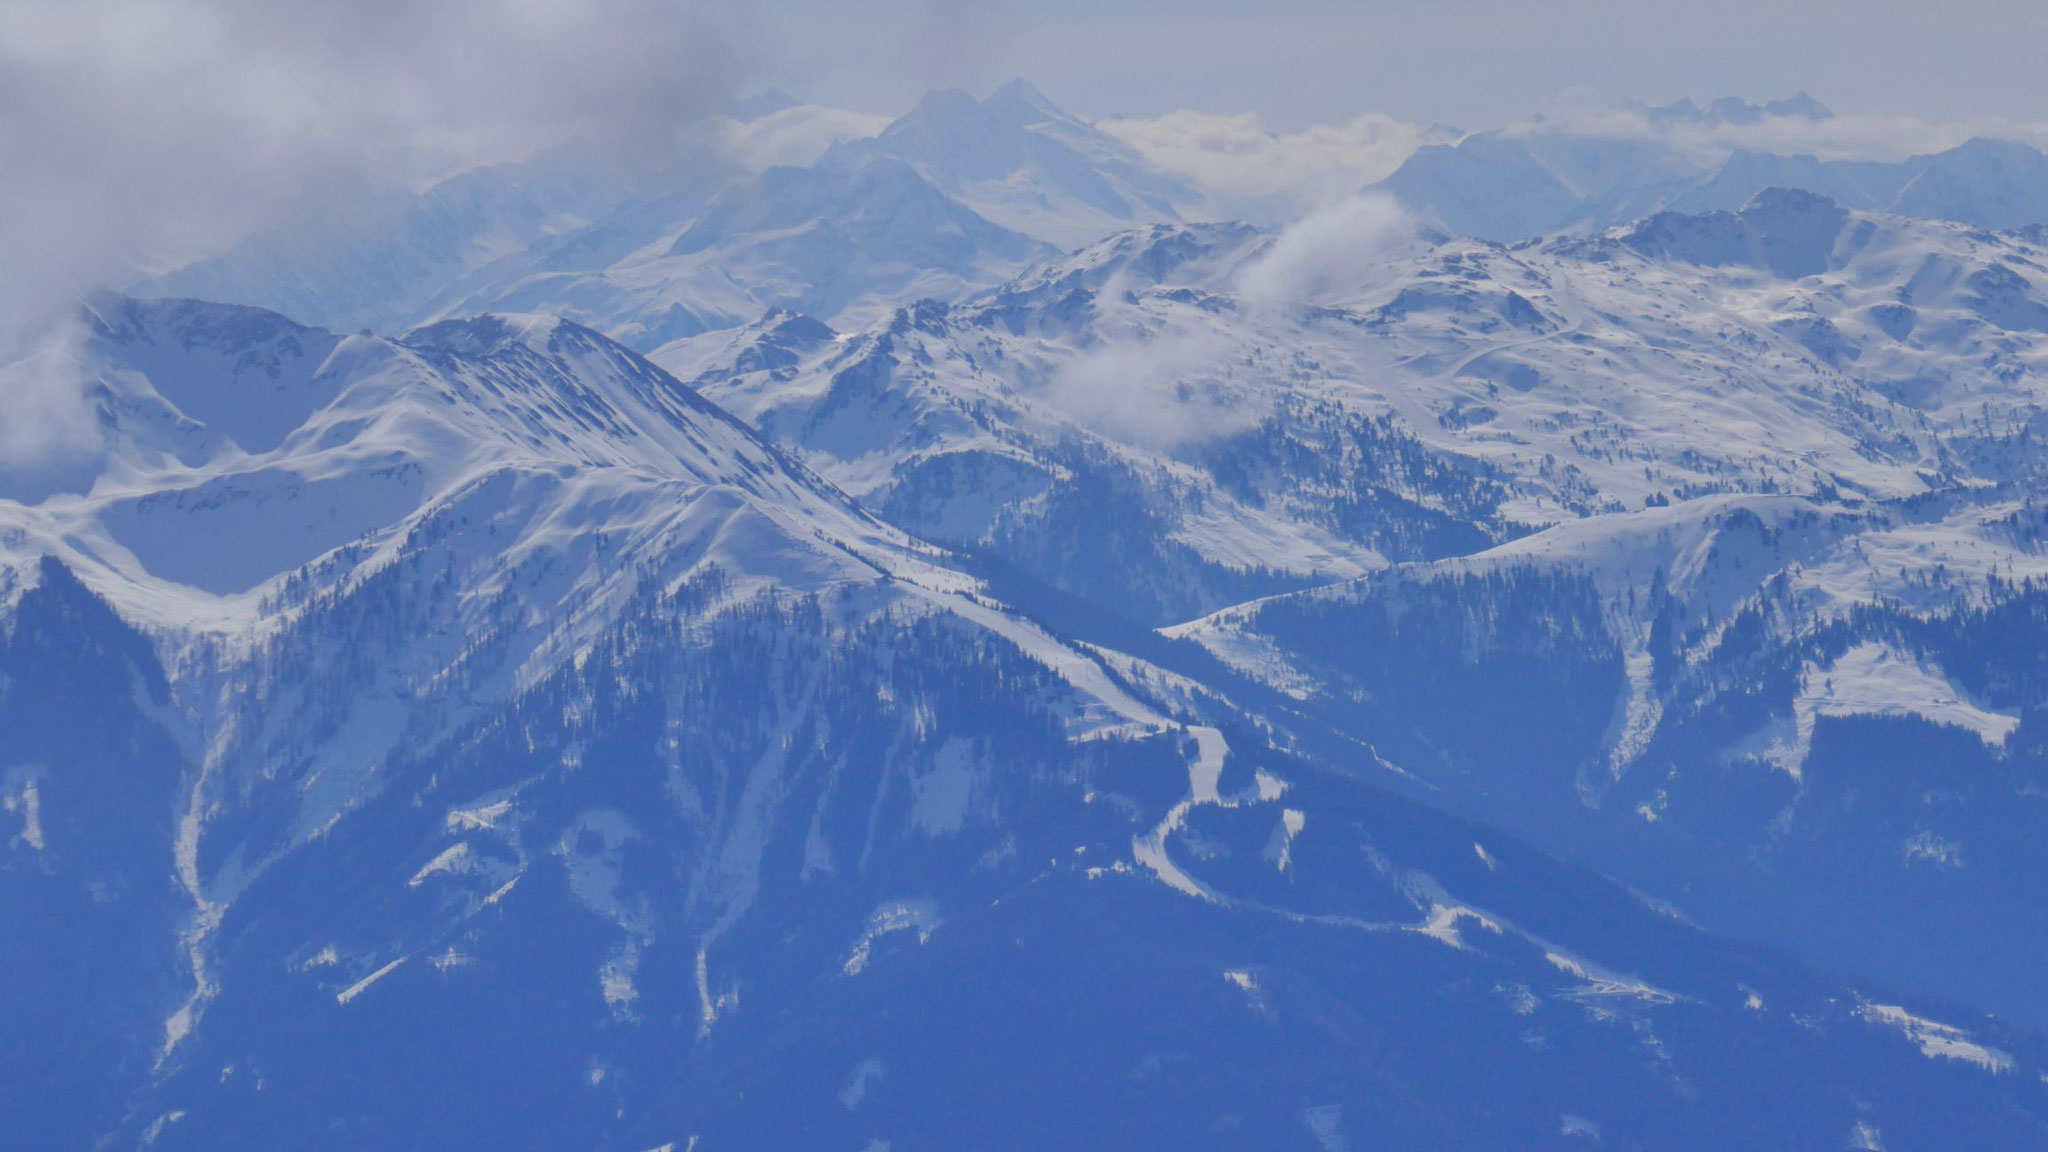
pixel 1455 395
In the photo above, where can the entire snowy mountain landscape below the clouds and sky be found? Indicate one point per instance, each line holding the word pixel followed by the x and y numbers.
pixel 1015 630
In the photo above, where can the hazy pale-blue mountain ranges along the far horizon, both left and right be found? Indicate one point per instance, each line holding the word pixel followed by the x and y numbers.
pixel 959 196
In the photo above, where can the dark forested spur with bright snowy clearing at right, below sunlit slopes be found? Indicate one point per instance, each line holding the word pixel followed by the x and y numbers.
pixel 1799 721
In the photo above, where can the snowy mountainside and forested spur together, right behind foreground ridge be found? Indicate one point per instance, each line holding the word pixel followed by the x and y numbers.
pixel 1529 411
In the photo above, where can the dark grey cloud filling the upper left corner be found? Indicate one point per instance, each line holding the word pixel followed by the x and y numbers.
pixel 151 132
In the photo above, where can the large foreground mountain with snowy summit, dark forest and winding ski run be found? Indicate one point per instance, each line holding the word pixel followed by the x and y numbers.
pixel 480 737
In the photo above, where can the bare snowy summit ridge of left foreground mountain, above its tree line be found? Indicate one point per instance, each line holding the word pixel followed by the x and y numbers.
pixel 224 423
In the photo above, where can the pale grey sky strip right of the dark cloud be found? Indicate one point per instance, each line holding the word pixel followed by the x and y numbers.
pixel 1469 63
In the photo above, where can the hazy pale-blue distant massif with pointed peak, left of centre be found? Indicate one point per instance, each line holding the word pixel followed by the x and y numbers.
pixel 949 200
